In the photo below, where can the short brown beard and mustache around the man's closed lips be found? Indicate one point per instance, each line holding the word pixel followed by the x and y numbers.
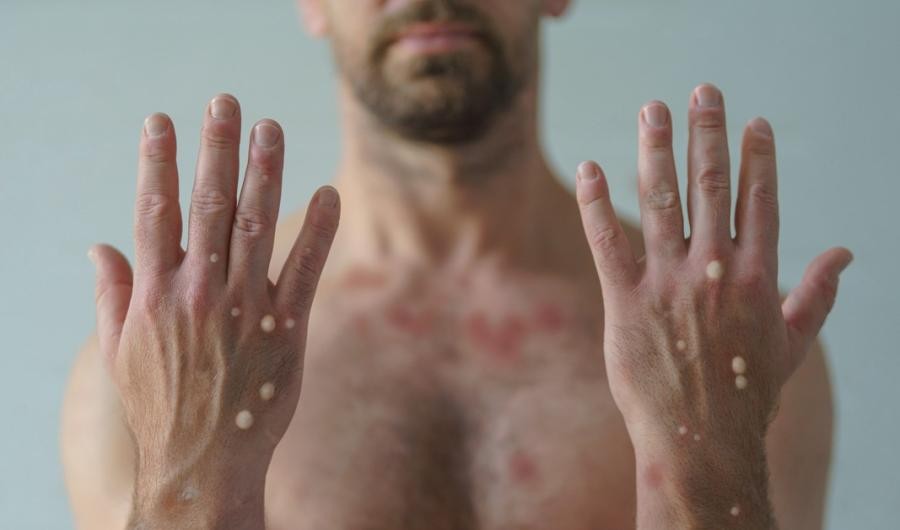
pixel 443 98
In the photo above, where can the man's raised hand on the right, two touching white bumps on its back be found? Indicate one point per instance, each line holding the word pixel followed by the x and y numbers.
pixel 696 339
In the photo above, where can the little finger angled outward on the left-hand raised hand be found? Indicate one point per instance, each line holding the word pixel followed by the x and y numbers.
pixel 300 275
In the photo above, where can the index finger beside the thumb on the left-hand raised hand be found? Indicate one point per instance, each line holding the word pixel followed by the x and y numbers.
pixel 157 223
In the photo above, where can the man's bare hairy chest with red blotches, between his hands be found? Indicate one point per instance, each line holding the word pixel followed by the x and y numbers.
pixel 458 413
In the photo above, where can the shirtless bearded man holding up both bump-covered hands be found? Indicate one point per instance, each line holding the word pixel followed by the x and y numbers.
pixel 456 372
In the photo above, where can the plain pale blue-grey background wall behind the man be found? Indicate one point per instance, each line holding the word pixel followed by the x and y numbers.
pixel 77 78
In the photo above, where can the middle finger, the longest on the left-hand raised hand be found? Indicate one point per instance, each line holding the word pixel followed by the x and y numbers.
pixel 215 187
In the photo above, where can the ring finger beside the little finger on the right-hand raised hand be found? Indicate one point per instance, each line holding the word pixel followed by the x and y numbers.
pixel 661 217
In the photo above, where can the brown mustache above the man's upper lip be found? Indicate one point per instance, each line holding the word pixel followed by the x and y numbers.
pixel 433 11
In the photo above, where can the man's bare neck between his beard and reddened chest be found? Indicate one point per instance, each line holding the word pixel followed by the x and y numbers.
pixel 444 204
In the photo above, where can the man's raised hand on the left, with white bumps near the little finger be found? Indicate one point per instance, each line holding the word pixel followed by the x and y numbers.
pixel 205 351
